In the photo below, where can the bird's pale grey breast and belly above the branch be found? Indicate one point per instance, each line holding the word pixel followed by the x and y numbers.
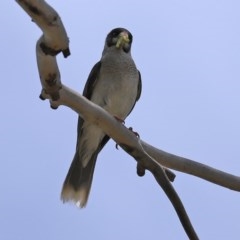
pixel 116 88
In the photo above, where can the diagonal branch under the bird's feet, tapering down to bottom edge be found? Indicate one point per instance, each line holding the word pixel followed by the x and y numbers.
pixel 129 142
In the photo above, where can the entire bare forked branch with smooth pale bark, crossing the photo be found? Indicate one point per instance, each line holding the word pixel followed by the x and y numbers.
pixel 55 40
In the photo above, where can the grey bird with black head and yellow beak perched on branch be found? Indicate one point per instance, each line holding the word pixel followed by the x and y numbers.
pixel 114 83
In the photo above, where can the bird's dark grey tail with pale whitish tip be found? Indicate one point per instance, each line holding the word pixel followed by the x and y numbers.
pixel 77 184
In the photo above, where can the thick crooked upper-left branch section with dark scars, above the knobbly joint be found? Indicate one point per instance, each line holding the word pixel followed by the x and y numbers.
pixel 53 41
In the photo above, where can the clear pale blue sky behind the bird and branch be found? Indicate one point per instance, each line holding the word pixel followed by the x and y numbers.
pixel 189 55
